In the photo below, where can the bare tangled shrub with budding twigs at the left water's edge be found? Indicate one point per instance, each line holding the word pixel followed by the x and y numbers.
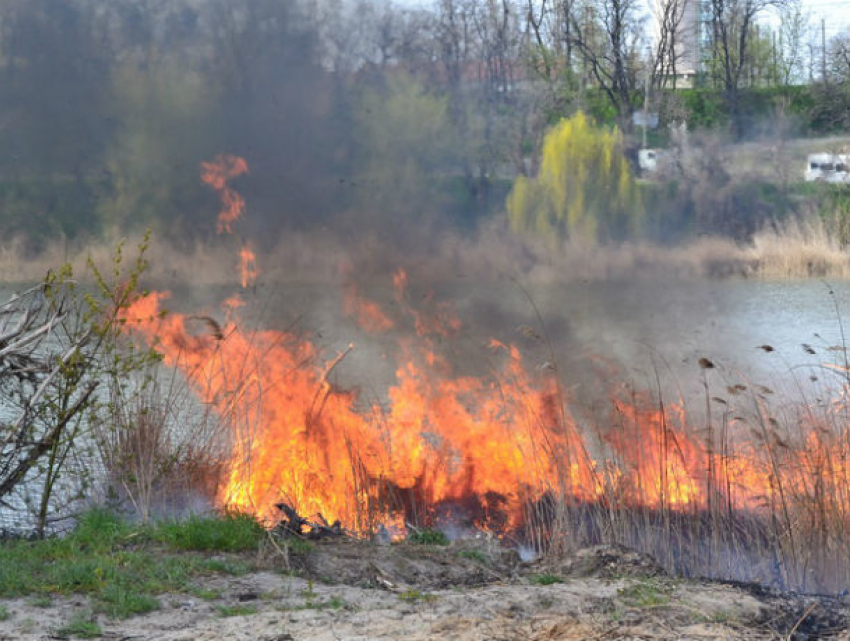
pixel 57 343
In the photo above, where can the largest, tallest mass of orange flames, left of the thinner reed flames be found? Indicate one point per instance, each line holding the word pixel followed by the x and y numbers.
pixel 300 439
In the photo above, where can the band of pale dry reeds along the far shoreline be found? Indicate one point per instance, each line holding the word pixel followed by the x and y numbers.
pixel 798 248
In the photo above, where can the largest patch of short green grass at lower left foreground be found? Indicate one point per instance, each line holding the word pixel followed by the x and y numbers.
pixel 122 567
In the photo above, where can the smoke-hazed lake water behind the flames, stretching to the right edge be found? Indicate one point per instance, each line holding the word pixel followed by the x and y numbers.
pixel 639 325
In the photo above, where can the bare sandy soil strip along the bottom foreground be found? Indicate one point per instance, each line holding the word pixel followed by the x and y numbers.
pixel 605 593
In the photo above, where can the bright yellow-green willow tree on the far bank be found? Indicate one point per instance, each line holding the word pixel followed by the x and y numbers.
pixel 584 189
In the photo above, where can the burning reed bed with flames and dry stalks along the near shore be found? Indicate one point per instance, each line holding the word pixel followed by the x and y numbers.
pixel 753 487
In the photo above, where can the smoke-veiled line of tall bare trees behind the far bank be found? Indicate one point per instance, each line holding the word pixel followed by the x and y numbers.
pixel 359 112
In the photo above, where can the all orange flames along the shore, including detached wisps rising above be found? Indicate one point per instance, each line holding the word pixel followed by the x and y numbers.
pixel 492 445
